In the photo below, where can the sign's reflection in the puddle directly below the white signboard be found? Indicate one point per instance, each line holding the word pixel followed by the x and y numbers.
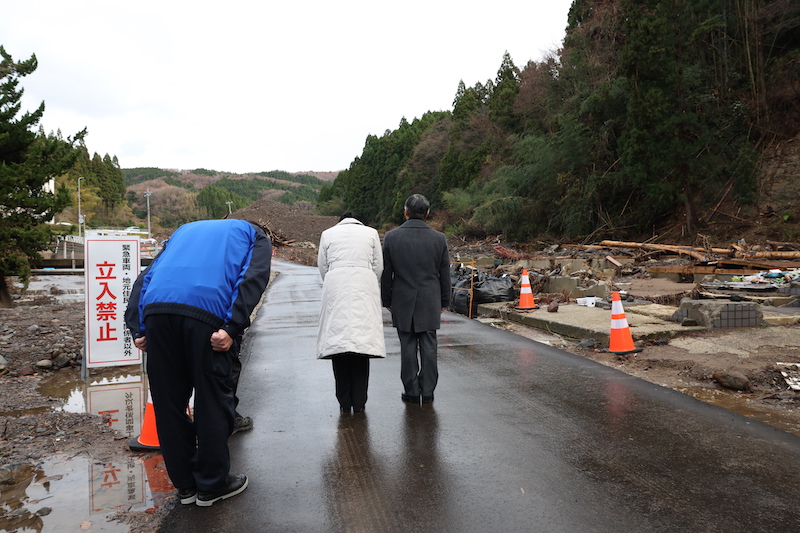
pixel 120 405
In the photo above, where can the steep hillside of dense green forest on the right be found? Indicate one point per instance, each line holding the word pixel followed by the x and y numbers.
pixel 653 118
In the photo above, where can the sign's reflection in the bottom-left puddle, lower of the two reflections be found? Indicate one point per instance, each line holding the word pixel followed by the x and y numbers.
pixel 114 484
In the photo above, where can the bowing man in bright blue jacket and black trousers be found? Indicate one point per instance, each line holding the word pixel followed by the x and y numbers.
pixel 186 310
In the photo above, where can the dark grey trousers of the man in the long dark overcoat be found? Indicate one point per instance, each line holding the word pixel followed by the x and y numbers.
pixel 419 374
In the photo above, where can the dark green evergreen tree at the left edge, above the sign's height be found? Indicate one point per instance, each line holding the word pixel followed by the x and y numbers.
pixel 27 162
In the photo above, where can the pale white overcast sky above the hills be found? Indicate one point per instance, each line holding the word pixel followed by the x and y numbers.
pixel 249 86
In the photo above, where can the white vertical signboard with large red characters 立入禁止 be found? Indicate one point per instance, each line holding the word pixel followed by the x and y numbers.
pixel 111 264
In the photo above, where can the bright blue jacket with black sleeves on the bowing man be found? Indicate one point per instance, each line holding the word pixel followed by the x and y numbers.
pixel 211 270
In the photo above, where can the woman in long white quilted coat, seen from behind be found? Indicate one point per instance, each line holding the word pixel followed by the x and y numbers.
pixel 350 331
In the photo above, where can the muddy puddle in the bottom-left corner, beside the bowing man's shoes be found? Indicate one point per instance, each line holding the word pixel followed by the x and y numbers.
pixel 75 493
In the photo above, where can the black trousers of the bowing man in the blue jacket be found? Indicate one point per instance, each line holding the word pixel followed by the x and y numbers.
pixel 179 360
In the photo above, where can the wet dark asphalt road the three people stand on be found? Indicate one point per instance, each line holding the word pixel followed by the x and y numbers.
pixel 521 437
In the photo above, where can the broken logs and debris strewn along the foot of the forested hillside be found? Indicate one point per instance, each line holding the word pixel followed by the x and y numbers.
pixel 660 273
